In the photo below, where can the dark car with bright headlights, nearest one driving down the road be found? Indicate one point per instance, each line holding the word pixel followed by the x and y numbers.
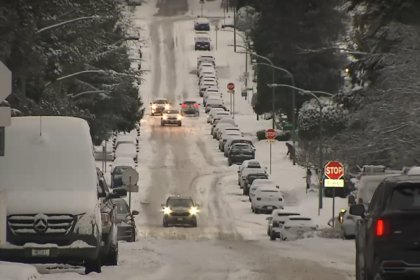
pixel 180 210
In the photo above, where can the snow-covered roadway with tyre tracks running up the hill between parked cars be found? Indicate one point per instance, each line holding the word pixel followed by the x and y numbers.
pixel 183 160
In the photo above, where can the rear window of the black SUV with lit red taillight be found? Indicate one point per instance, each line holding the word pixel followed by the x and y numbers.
pixel 406 197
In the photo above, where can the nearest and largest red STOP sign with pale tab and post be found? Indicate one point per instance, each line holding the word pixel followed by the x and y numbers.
pixel 334 171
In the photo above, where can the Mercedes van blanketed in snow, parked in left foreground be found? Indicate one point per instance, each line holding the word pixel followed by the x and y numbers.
pixel 48 174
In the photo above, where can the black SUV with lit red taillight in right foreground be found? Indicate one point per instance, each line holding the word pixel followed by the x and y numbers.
pixel 388 233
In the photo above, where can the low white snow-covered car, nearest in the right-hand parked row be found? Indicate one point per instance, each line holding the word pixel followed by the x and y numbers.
pixel 295 227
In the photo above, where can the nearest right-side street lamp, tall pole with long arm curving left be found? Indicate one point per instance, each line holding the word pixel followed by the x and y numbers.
pixel 321 143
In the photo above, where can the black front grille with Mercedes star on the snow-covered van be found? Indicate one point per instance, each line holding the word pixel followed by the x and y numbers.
pixel 26 224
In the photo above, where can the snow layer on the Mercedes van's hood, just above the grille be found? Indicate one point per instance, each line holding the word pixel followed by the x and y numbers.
pixel 50 202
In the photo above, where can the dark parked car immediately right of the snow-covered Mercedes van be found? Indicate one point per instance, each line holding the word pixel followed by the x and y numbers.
pixel 125 221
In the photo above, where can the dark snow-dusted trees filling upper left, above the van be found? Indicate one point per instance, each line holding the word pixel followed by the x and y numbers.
pixel 50 68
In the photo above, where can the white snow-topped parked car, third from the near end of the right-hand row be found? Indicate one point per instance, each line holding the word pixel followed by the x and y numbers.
pixel 266 199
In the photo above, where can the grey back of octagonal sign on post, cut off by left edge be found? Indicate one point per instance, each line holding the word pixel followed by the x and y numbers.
pixel 5 120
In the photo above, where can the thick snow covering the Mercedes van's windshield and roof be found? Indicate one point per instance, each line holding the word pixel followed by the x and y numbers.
pixel 61 158
